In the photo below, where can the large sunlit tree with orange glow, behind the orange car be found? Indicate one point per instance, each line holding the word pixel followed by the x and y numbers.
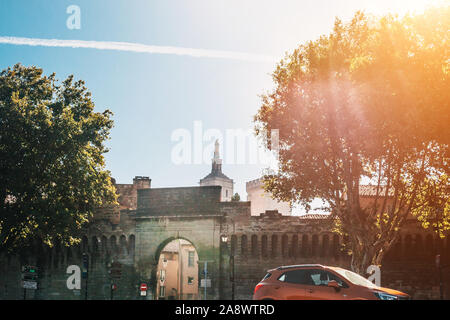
pixel 367 104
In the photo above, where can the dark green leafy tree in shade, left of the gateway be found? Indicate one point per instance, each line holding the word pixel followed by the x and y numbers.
pixel 52 173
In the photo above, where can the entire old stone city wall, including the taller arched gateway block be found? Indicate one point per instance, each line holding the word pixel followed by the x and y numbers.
pixel 135 232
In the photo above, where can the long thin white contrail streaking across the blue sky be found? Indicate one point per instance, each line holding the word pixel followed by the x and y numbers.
pixel 138 47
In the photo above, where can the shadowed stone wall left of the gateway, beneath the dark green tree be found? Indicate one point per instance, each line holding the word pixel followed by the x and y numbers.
pixel 52 266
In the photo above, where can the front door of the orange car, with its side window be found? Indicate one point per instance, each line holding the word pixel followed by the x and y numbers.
pixel 318 289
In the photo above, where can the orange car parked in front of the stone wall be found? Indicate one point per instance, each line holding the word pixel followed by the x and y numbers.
pixel 317 282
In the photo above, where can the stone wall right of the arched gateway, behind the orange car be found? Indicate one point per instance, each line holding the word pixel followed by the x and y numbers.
pixel 262 243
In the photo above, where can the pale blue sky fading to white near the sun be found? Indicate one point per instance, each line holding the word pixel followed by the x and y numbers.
pixel 154 90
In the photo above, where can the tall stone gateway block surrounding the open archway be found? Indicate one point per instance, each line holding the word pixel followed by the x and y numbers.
pixel 192 214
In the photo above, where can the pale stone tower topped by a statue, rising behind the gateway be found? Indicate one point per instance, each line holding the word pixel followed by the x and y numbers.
pixel 217 178
